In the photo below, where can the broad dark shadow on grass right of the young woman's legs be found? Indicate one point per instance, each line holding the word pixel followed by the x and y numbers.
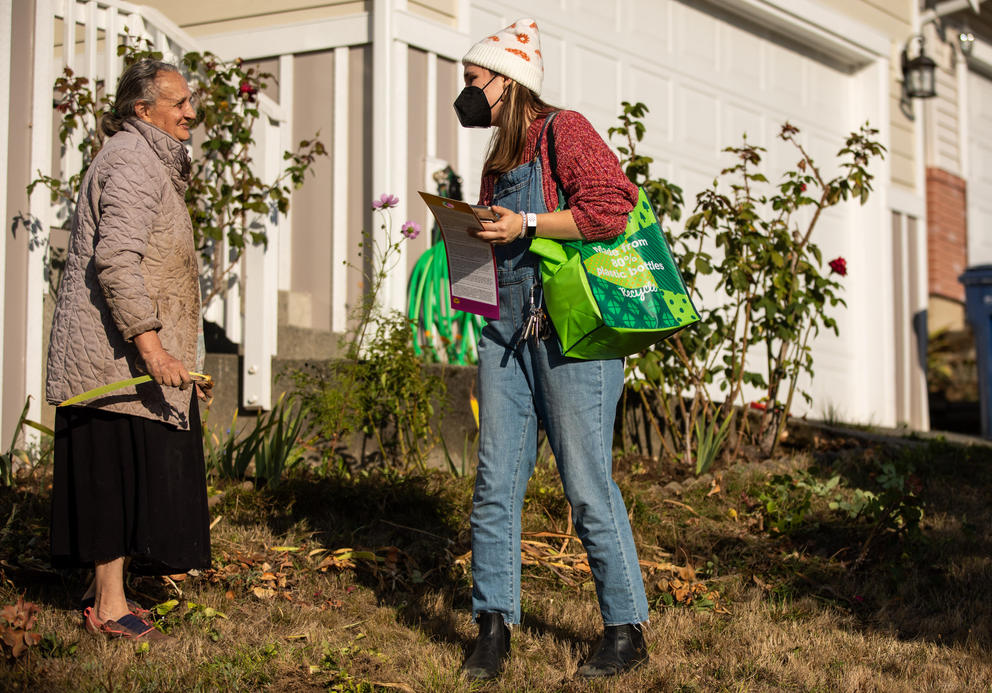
pixel 930 584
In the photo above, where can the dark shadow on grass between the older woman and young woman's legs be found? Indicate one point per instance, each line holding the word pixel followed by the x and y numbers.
pixel 418 522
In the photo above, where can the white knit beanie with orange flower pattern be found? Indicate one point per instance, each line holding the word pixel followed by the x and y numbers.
pixel 514 52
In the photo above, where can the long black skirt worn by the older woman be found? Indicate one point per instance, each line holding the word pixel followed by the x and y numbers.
pixel 129 486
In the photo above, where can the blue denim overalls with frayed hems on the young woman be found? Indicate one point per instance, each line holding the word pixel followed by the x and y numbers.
pixel 576 400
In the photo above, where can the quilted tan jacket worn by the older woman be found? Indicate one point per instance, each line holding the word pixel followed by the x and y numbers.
pixel 131 267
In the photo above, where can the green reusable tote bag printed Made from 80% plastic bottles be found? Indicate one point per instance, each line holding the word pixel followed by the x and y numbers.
pixel 614 298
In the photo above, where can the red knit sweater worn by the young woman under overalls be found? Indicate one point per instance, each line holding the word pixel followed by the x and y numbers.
pixel 598 193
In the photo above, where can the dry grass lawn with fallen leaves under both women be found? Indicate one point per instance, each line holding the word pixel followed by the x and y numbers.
pixel 359 584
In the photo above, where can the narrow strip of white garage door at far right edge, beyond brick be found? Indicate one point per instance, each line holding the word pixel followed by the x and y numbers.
pixel 979 170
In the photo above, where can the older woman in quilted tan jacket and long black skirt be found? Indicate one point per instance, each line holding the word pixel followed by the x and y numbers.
pixel 129 477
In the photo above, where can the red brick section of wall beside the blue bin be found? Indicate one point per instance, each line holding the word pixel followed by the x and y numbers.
pixel 947 233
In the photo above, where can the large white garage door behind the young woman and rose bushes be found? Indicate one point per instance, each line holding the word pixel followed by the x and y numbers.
pixel 707 79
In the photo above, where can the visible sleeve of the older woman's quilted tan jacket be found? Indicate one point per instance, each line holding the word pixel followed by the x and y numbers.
pixel 128 203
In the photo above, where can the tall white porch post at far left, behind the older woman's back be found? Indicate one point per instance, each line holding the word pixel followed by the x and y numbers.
pixel 39 203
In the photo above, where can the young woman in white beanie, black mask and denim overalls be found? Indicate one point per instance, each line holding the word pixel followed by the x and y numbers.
pixel 523 377
